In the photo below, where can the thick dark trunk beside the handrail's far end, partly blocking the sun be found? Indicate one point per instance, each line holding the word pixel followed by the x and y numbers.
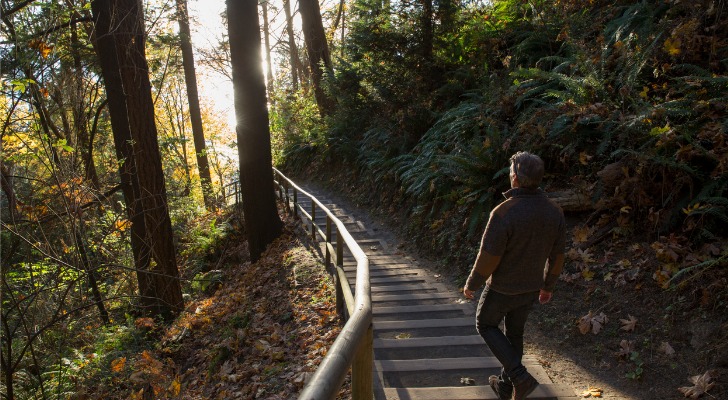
pixel 262 222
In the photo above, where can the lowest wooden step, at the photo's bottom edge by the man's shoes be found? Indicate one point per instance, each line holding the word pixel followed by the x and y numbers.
pixel 543 391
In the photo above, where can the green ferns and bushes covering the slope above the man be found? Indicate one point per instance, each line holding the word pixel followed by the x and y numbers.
pixel 582 85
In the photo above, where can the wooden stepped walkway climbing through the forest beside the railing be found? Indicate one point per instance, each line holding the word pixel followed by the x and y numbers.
pixel 425 342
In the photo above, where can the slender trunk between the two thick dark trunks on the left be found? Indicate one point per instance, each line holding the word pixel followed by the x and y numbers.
pixel 198 135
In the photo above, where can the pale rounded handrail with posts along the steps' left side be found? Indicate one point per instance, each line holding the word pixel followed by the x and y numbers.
pixel 353 346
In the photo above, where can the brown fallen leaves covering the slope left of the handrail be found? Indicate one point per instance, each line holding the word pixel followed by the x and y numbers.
pixel 262 334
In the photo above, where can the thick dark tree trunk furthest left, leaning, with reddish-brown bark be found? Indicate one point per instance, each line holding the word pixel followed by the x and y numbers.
pixel 120 43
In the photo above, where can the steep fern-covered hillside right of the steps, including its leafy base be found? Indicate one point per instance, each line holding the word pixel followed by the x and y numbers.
pixel 626 103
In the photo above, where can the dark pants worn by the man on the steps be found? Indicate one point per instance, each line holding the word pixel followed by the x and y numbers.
pixel 495 307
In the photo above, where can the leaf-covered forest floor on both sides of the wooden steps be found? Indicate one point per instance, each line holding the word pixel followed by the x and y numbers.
pixel 256 333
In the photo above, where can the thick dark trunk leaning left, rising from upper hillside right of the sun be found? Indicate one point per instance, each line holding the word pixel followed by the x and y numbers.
pixel 318 52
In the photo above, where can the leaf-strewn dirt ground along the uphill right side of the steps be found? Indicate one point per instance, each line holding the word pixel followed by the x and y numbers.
pixel 639 342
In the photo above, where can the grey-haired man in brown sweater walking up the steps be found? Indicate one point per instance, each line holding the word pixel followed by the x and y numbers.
pixel 521 257
